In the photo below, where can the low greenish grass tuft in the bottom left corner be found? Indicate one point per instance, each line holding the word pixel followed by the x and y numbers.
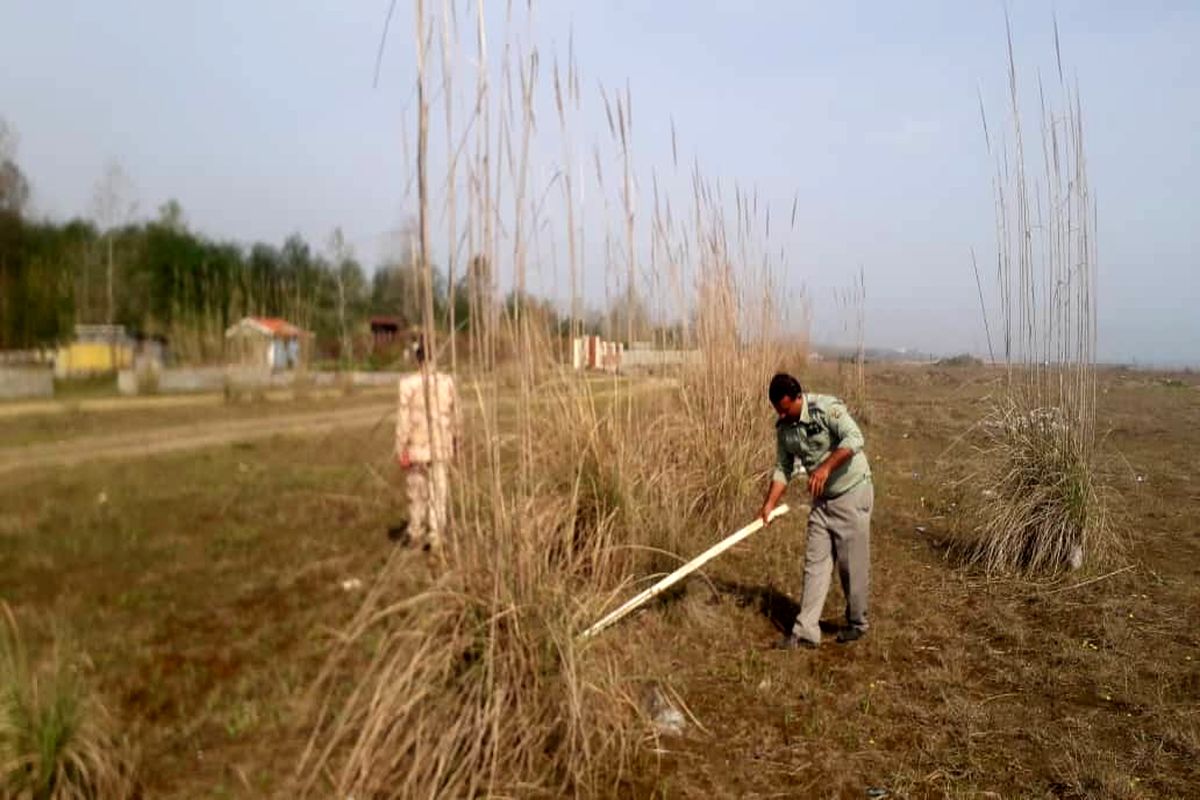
pixel 57 743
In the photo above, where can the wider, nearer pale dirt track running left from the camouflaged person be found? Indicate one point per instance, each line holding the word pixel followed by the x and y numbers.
pixel 154 442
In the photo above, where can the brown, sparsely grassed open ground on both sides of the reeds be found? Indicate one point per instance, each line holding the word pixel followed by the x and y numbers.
pixel 203 587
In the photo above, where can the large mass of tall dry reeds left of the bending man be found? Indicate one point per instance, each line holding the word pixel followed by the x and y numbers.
pixel 569 489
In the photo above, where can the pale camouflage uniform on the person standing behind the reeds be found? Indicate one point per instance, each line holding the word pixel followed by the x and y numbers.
pixel 429 448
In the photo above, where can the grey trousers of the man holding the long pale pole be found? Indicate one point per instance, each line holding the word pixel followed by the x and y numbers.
pixel 839 532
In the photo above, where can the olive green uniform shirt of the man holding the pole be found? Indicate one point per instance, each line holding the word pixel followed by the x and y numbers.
pixel 824 426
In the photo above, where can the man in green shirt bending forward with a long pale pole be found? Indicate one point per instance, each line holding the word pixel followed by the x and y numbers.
pixel 819 431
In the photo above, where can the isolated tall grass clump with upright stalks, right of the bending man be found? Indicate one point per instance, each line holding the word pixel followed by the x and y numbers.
pixel 1037 507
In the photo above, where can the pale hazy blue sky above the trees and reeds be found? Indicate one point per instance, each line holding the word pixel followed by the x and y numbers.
pixel 261 119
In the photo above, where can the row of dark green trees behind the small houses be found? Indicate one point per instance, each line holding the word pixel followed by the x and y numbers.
pixel 159 278
